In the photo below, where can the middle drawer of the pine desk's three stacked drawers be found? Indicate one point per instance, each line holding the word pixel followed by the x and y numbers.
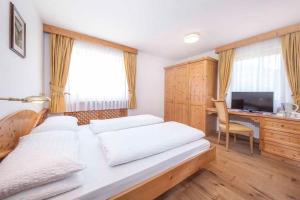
pixel 284 138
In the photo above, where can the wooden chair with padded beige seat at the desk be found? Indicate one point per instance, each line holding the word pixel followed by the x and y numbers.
pixel 225 126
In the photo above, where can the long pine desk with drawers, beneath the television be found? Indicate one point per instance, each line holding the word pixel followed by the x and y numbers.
pixel 279 136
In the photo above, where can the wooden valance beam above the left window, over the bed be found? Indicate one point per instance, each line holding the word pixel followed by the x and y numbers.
pixel 87 38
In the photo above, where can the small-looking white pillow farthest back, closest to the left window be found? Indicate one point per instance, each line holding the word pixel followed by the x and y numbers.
pixel 58 123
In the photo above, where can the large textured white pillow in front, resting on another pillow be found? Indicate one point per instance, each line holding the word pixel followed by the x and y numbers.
pixel 39 159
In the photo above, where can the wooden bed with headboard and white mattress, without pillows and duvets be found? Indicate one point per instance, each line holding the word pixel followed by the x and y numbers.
pixel 146 178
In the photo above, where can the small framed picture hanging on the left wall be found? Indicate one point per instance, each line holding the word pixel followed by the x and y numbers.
pixel 17 32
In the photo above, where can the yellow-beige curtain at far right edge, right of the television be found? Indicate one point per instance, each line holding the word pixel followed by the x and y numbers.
pixel 291 54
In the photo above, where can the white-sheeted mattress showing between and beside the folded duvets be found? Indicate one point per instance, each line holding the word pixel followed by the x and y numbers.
pixel 100 181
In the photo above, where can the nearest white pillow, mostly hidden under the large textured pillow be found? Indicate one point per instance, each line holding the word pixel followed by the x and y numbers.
pixel 49 190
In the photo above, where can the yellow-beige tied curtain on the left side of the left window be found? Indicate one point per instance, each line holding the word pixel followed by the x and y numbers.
pixel 61 49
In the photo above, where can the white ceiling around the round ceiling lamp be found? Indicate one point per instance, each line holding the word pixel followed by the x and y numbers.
pixel 158 26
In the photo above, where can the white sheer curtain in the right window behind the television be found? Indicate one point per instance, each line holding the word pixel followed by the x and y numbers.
pixel 259 68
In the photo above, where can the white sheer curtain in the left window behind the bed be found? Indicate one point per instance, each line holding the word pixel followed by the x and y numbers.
pixel 97 78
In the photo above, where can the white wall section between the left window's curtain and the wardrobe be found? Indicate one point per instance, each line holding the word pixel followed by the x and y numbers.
pixel 150 84
